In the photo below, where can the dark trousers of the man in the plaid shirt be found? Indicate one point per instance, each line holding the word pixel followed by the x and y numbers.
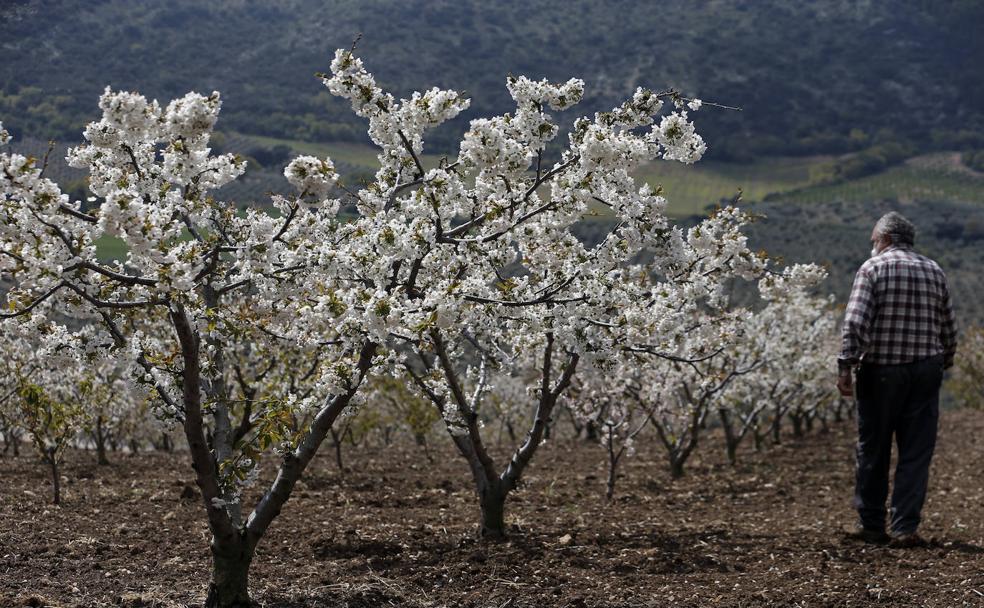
pixel 900 400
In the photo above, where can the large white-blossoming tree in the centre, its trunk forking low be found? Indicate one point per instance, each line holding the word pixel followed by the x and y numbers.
pixel 473 268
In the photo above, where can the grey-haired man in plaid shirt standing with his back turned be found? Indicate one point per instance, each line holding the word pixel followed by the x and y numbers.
pixel 900 334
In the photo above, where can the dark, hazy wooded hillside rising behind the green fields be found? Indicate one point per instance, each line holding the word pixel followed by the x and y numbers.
pixel 813 76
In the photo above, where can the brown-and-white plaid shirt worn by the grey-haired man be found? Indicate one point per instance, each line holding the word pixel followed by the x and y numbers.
pixel 899 311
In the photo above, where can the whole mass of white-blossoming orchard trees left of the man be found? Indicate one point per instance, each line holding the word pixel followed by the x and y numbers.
pixel 457 293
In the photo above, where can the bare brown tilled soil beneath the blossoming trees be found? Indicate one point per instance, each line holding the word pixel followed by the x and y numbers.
pixel 396 531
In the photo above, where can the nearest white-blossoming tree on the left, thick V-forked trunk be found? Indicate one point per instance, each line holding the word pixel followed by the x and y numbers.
pixel 199 282
